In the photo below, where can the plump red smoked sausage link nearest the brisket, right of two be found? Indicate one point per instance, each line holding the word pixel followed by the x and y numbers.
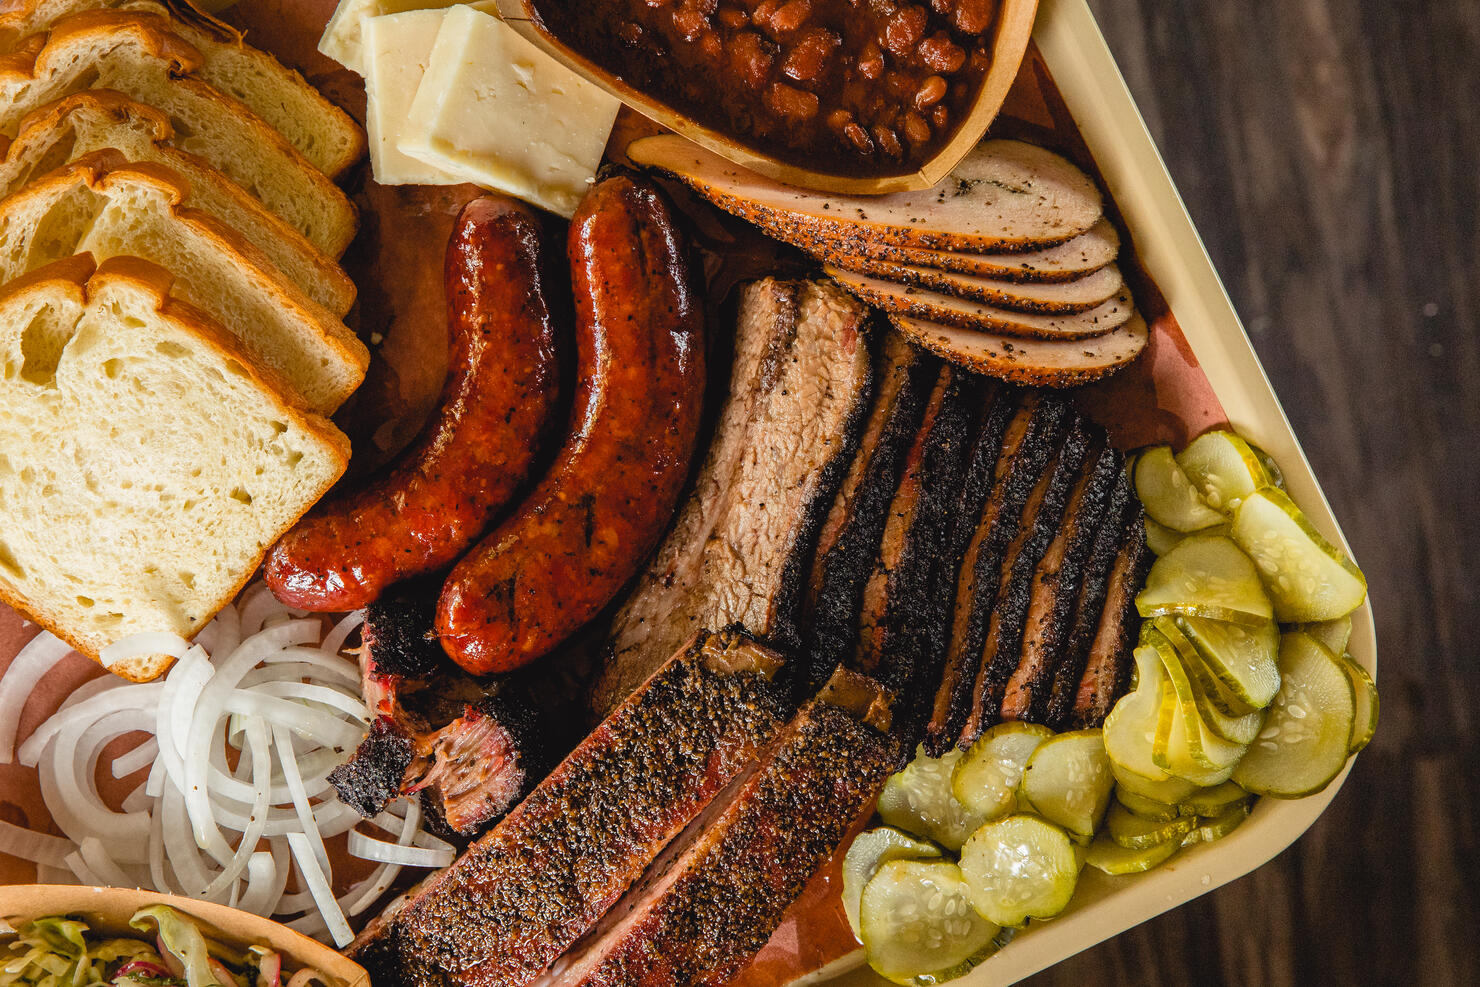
pixel 568 551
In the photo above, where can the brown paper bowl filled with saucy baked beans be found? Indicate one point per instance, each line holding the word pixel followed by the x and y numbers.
pixel 859 97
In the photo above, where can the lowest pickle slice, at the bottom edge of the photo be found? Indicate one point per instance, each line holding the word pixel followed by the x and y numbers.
pixel 918 926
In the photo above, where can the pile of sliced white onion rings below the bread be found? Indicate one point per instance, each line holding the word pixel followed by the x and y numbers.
pixel 285 698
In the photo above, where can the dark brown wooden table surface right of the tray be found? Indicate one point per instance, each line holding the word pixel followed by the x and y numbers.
pixel 1330 153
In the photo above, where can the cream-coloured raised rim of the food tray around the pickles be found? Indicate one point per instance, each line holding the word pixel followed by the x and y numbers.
pixel 1173 254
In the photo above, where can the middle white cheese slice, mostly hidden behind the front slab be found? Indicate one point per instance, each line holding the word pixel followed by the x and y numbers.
pixel 397 50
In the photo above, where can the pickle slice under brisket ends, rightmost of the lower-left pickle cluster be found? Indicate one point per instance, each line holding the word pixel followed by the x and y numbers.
pixel 1068 782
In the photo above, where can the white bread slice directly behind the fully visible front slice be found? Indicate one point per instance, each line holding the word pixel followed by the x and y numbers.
pixel 109 208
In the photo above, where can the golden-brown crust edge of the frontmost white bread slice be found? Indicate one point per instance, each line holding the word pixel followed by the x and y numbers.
pixel 85 282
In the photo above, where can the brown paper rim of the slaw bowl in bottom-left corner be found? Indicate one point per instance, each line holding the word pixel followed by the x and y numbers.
pixel 110 909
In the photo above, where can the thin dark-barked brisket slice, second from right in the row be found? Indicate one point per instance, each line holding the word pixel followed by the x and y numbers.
pixel 1056 590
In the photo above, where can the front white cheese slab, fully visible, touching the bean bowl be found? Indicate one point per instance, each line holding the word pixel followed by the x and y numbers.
pixel 497 112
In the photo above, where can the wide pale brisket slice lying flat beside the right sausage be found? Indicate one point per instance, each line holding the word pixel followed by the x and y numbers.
pixel 738 554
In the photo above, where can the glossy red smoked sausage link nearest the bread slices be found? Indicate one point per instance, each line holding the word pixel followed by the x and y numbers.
pixel 501 399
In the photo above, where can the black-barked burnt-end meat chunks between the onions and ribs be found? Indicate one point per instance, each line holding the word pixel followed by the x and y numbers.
pixel 468 748
